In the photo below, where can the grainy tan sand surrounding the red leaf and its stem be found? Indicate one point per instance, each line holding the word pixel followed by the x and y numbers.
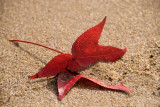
pixel 57 23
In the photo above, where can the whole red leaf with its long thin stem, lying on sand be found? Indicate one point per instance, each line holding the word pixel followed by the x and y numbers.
pixel 85 52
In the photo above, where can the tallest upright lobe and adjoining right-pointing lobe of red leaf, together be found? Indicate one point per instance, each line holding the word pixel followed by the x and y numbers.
pixel 86 50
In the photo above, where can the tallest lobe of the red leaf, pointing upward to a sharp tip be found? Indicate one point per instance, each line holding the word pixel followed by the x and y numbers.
pixel 87 40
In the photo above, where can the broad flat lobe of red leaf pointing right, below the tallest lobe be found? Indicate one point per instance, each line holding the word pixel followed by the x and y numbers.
pixel 102 53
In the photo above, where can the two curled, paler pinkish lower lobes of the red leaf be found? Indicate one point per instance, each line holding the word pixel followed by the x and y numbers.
pixel 66 81
